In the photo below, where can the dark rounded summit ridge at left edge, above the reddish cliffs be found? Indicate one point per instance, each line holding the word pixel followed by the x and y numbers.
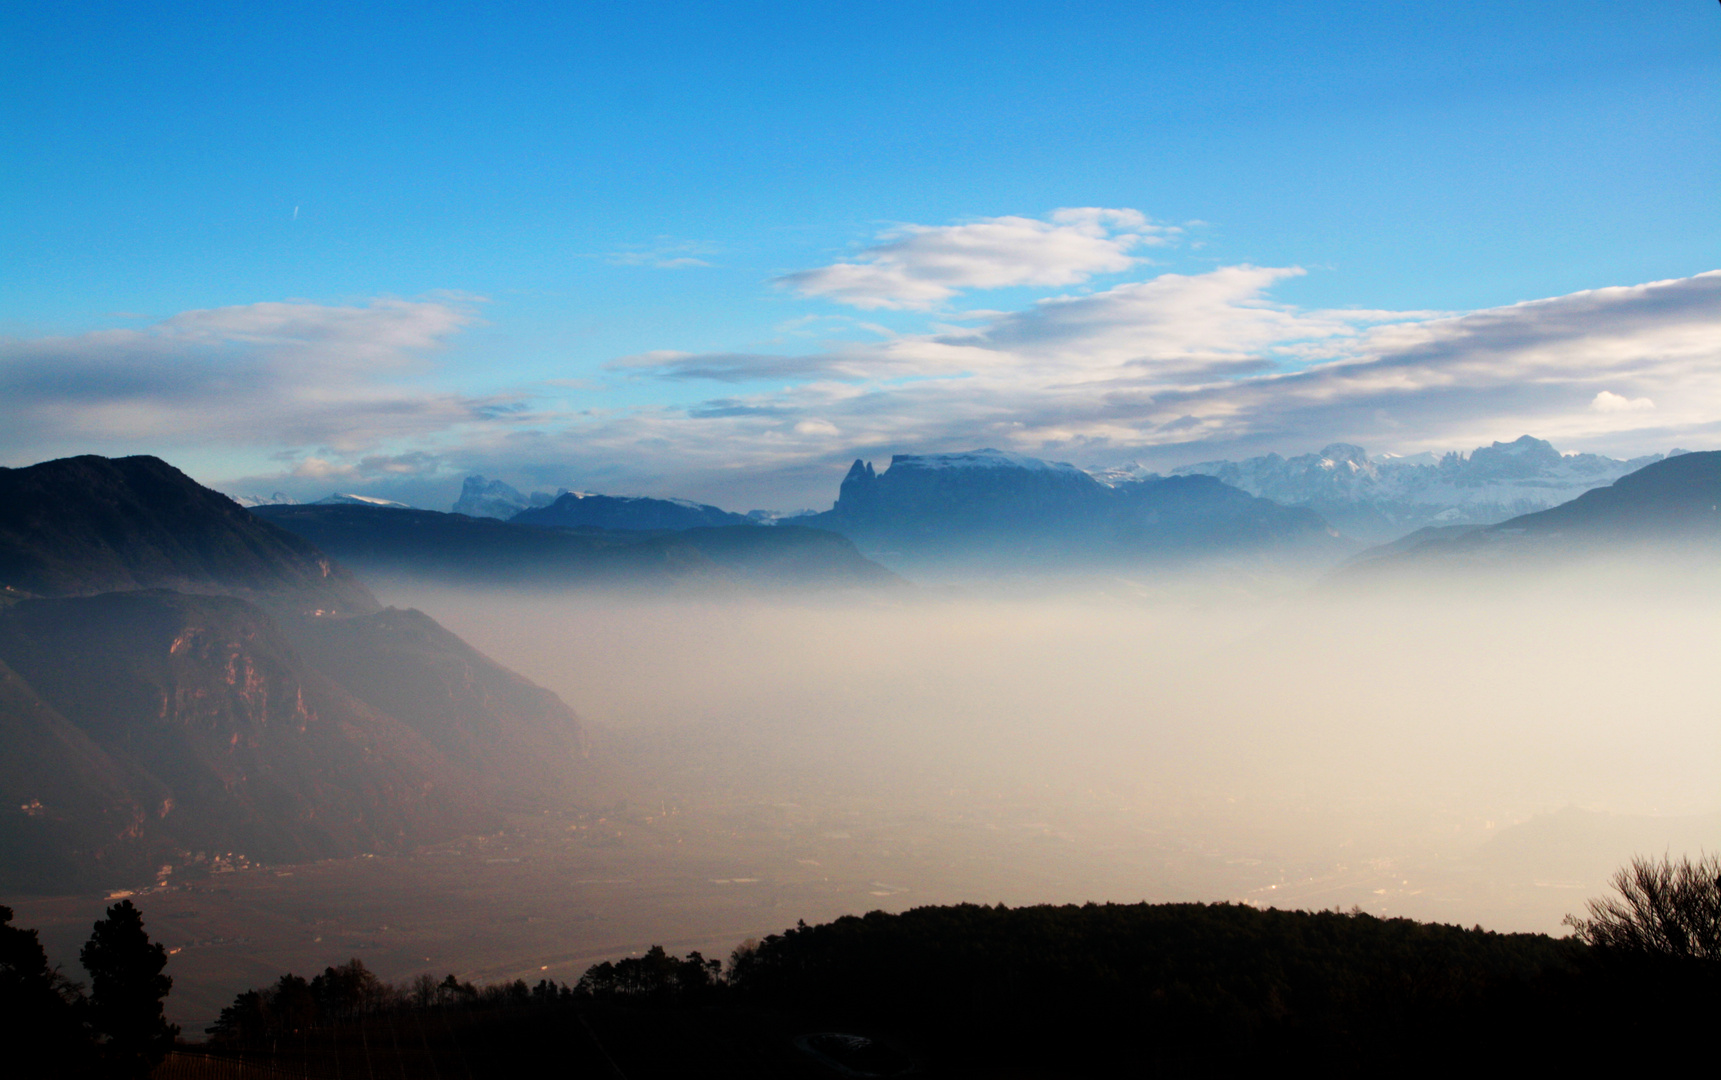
pixel 89 525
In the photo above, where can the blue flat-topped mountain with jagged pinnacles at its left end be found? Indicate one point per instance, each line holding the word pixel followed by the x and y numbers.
pixel 1006 510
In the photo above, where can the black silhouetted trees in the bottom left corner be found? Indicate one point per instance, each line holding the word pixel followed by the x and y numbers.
pixel 51 1028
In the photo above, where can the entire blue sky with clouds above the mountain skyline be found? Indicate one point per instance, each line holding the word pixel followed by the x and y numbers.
pixel 720 250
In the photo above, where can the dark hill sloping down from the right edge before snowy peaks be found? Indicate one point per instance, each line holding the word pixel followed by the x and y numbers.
pixel 1670 508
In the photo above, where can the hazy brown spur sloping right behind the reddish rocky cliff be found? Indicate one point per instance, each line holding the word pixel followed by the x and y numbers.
pixel 517 739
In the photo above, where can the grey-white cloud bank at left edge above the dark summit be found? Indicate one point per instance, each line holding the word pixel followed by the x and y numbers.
pixel 257 376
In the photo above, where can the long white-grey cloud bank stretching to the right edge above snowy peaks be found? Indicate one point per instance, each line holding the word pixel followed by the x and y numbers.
pixel 1190 367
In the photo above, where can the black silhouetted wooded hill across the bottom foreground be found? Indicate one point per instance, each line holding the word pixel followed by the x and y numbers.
pixel 973 991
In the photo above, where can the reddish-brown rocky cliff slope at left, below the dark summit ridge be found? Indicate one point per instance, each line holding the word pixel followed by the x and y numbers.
pixel 214 733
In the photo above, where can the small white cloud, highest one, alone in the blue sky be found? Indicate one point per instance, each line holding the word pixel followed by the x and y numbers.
pixel 918 267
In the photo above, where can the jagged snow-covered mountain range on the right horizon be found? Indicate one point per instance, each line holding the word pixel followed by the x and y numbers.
pixel 1385 498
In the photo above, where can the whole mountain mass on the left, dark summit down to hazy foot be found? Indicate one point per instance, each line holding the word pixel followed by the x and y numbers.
pixel 264 708
